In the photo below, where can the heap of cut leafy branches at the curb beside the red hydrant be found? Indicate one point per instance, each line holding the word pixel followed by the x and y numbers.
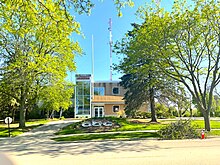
pixel 179 130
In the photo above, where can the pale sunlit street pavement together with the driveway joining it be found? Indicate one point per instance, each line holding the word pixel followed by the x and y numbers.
pixel 36 148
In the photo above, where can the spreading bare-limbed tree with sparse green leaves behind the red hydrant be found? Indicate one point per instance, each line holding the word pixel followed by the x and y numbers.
pixel 186 47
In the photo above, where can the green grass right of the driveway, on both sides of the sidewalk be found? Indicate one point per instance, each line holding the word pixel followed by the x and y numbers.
pixel 121 125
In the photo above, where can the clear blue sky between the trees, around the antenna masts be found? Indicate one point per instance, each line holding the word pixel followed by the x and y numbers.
pixel 97 25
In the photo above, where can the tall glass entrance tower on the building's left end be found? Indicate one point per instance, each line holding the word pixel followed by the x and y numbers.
pixel 83 96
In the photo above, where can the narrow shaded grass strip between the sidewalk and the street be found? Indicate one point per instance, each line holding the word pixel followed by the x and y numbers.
pixel 120 136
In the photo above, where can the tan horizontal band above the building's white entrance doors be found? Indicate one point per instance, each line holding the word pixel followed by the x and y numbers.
pixel 108 99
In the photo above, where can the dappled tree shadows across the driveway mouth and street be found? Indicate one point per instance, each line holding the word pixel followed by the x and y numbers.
pixel 39 142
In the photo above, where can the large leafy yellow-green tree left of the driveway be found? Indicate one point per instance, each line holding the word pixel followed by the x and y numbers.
pixel 35 49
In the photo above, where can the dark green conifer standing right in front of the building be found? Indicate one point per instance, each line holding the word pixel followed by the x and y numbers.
pixel 143 79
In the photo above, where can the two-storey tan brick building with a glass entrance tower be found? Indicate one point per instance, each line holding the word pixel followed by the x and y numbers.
pixel 97 99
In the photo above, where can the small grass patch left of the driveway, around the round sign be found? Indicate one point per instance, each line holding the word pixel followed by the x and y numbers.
pixel 15 131
